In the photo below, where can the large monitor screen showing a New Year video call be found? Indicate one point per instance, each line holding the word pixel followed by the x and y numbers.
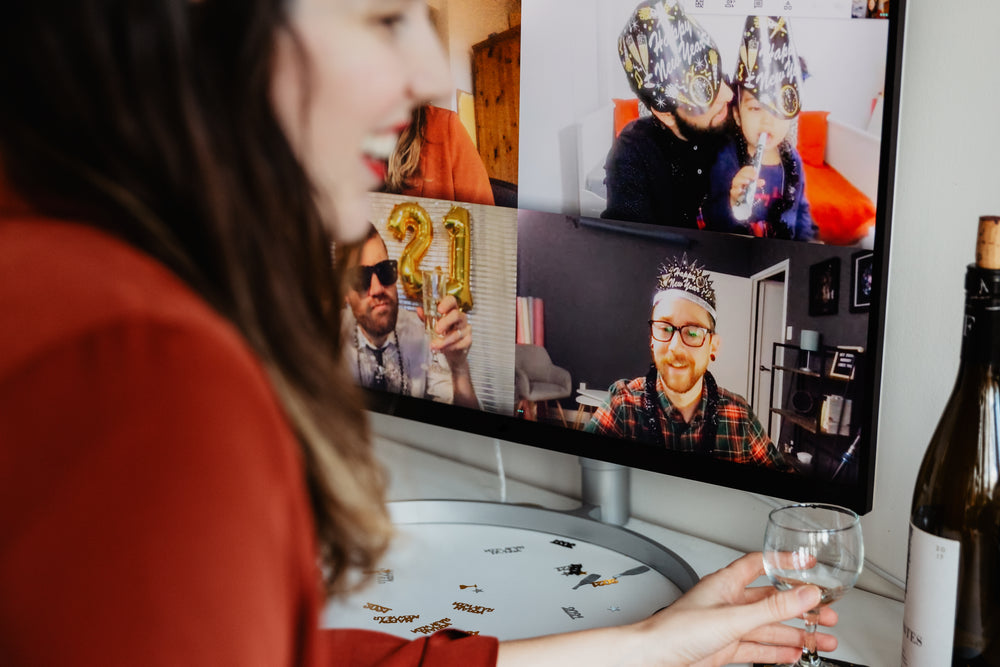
pixel 663 226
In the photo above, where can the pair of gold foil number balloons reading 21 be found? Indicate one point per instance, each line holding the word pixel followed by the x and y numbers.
pixel 411 216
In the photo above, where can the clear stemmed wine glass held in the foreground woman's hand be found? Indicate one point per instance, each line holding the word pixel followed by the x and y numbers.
pixel 813 544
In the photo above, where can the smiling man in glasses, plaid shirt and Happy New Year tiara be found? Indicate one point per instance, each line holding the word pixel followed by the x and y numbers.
pixel 678 404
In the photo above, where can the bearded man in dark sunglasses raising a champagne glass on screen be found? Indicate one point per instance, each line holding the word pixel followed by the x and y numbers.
pixel 388 348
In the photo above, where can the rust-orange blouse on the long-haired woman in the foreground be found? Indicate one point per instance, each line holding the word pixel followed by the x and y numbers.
pixel 152 506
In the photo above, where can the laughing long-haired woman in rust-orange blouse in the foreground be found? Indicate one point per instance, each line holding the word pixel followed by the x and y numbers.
pixel 178 438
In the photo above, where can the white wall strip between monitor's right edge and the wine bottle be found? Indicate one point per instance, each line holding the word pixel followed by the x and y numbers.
pixel 946 176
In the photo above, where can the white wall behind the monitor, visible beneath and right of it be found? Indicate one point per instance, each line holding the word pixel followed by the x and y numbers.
pixel 947 174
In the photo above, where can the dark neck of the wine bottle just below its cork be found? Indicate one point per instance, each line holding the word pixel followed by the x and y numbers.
pixel 981 337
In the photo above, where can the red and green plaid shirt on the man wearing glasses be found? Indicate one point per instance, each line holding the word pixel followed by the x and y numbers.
pixel 740 437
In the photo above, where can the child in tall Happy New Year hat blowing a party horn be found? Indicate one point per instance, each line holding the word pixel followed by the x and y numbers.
pixel 762 194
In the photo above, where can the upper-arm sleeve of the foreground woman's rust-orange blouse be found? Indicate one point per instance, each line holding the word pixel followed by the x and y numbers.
pixel 153 507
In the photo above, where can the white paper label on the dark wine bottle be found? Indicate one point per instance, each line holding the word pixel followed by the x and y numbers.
pixel 931 599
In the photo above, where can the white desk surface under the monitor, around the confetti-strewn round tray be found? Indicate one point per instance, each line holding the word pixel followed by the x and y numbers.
pixel 870 625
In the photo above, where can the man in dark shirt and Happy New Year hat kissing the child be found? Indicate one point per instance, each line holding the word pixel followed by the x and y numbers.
pixel 657 170
